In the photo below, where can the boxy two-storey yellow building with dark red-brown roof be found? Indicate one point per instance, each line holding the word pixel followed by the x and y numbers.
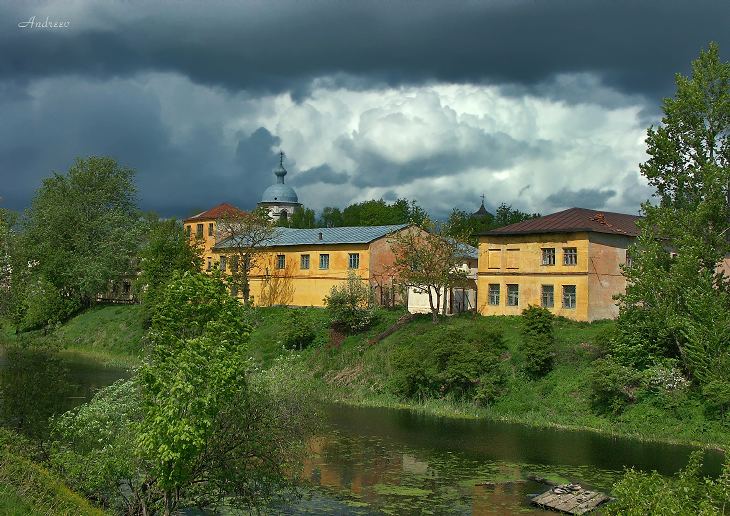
pixel 568 262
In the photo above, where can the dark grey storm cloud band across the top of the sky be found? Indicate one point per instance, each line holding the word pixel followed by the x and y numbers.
pixel 282 46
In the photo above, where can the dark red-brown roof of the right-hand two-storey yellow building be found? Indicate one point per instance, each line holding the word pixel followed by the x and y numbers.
pixel 573 221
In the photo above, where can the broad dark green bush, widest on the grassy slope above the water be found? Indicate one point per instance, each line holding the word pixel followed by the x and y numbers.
pixel 451 364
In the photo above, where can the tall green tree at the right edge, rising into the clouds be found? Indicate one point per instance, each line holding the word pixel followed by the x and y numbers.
pixel 677 301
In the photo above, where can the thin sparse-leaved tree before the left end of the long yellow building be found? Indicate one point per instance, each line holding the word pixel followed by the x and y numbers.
pixel 247 236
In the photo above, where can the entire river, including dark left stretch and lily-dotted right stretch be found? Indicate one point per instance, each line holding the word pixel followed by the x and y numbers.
pixel 384 461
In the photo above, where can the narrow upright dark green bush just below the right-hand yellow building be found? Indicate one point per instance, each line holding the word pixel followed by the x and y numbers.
pixel 538 341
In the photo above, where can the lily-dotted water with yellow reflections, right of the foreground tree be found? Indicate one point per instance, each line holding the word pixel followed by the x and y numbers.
pixel 397 462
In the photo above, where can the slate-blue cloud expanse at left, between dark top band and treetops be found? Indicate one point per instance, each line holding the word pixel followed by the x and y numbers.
pixel 67 118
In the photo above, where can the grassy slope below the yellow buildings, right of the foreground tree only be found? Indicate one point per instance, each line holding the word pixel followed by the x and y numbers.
pixel 358 372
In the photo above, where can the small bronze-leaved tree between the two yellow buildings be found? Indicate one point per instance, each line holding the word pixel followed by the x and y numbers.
pixel 430 260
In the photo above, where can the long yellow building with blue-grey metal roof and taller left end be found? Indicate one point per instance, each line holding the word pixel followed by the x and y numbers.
pixel 300 266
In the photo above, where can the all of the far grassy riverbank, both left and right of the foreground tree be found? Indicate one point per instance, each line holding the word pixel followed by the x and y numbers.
pixel 359 372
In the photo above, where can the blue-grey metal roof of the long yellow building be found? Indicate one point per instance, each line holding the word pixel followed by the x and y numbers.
pixel 322 236
